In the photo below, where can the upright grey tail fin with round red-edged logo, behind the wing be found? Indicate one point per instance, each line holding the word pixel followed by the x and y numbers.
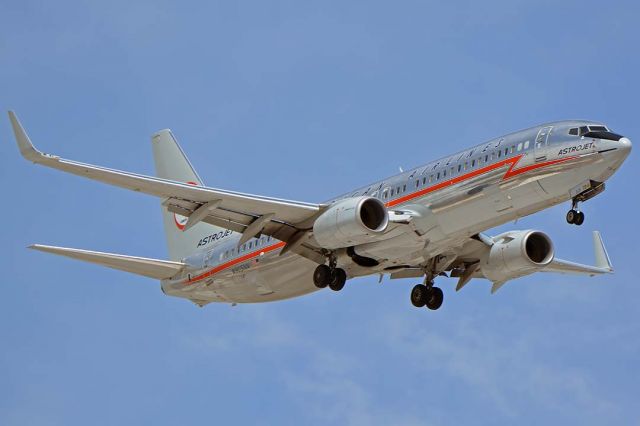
pixel 172 163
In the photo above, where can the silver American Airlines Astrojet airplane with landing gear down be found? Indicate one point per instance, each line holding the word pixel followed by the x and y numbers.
pixel 427 222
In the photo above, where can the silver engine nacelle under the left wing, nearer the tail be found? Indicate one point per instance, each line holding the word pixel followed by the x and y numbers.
pixel 351 222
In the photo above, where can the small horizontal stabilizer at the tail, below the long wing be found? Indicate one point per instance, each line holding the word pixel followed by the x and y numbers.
pixel 152 268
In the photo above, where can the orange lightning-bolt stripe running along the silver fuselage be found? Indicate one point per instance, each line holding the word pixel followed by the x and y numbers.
pixel 511 172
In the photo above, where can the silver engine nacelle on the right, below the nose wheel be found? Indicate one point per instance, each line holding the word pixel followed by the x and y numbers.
pixel 517 253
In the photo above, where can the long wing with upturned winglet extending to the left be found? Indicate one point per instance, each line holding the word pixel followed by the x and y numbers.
pixel 251 215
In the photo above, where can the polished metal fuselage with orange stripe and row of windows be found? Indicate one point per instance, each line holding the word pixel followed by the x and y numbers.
pixel 457 197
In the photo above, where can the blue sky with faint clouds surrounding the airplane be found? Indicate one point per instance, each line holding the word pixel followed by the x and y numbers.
pixel 305 100
